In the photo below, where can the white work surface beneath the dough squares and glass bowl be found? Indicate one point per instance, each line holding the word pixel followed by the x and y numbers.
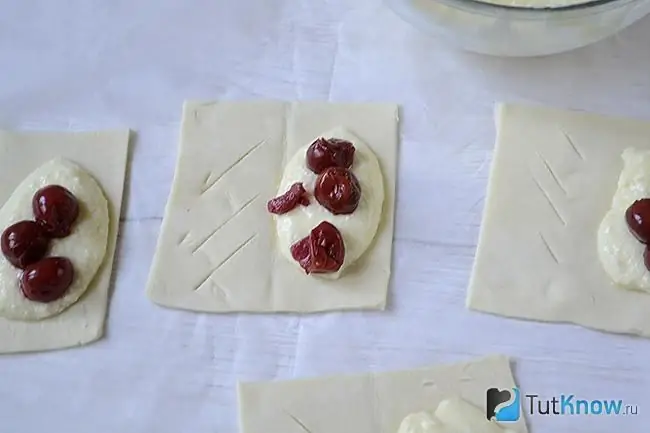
pixel 125 63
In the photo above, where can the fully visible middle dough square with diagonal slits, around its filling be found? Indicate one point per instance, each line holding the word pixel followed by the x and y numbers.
pixel 217 251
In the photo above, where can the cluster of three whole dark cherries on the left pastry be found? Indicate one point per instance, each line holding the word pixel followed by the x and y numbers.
pixel 26 243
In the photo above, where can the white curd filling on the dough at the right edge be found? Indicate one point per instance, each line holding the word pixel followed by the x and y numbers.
pixel 620 253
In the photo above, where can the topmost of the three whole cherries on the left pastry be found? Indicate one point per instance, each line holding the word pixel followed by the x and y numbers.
pixel 56 209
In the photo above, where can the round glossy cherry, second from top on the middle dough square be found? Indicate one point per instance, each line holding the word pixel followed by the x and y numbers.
pixel 338 190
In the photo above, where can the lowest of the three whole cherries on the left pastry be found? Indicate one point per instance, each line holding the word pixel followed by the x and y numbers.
pixel 47 280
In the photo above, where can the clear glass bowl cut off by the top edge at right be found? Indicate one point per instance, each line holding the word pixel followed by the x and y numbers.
pixel 519 31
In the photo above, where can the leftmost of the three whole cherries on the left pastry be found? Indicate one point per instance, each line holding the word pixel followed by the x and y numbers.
pixel 24 243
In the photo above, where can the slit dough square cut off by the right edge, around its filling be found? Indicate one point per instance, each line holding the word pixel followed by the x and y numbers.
pixel 552 181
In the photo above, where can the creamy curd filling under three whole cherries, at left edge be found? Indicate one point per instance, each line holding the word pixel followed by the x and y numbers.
pixel 85 247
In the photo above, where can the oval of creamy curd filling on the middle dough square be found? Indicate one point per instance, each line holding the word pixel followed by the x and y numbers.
pixel 358 228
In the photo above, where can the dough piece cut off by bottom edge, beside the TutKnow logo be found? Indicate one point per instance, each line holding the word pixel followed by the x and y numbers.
pixel 369 403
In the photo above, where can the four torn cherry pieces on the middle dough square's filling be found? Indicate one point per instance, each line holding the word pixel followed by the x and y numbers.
pixel 337 189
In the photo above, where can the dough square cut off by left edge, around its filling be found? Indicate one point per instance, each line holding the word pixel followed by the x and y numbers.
pixel 103 154
